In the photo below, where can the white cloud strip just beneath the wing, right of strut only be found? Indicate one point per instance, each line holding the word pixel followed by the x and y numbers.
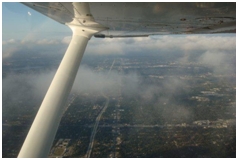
pixel 168 43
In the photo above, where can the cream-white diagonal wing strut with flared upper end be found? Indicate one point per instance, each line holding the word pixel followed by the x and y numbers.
pixel 41 135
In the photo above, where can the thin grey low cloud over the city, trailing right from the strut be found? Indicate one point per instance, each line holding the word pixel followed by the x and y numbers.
pixel 32 87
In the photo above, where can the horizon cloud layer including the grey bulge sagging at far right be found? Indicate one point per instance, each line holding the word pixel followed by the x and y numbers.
pixel 214 51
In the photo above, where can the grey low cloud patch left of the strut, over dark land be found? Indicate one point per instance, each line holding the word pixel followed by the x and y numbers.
pixel 31 84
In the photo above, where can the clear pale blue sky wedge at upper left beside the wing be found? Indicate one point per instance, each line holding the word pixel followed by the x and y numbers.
pixel 29 23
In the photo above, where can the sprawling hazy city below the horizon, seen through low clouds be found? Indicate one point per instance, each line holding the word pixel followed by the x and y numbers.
pixel 135 106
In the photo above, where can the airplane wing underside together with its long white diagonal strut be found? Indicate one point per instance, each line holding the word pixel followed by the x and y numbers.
pixel 113 20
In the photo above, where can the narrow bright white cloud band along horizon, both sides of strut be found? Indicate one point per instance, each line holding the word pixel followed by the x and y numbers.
pixel 185 44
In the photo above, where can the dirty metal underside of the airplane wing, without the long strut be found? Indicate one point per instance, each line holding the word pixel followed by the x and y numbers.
pixel 138 19
